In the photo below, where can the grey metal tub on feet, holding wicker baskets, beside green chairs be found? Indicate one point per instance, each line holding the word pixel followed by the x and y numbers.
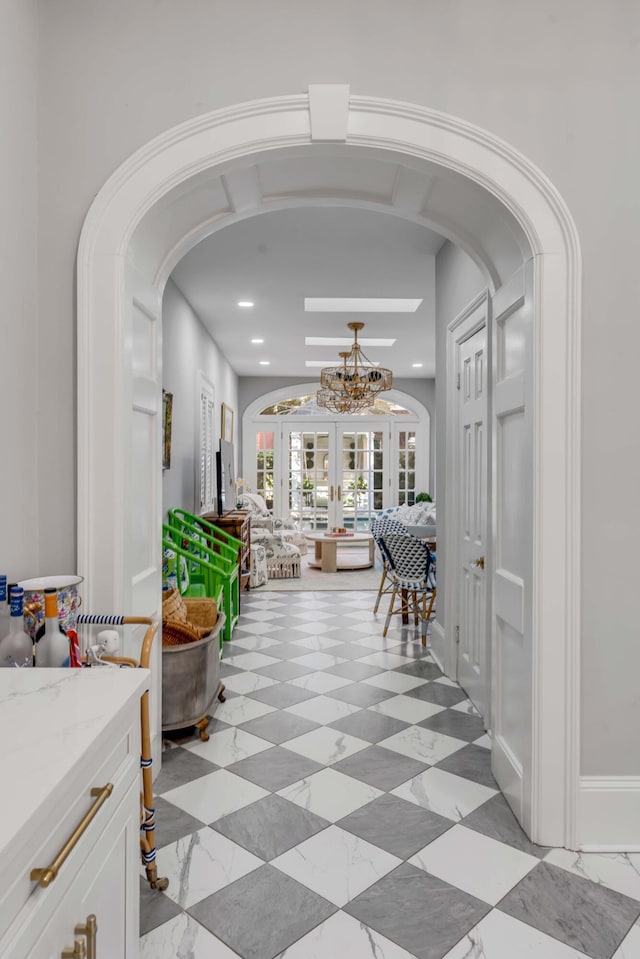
pixel 190 679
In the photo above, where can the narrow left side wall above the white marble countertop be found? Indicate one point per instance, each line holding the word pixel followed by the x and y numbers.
pixel 25 413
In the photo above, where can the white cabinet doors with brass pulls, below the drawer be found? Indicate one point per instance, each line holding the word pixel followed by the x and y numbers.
pixel 106 885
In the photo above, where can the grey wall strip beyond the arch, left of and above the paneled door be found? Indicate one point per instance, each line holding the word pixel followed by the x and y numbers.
pixel 458 281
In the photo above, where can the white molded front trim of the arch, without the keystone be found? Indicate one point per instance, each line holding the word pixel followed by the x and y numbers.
pixel 218 139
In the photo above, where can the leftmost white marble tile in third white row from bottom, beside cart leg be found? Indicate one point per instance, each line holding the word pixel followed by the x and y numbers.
pixel 215 795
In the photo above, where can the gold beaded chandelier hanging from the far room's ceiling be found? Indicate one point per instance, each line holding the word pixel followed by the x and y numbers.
pixel 354 385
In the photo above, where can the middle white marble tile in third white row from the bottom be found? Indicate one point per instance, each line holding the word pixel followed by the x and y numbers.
pixel 329 794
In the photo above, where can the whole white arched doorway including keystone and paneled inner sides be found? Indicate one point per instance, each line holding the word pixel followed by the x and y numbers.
pixel 138 228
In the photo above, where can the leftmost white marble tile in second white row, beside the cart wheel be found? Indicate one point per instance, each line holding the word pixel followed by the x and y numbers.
pixel 201 864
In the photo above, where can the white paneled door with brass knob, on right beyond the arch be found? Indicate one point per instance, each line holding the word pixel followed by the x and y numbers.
pixel 472 527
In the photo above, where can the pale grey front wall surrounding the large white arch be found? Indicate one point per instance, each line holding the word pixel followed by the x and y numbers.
pixel 557 81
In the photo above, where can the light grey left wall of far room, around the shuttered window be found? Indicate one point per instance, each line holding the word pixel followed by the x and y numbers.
pixel 187 348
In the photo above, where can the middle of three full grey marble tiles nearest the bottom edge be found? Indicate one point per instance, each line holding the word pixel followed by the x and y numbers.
pixel 424 915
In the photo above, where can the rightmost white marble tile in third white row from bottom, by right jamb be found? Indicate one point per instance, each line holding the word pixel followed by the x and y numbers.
pixel 441 792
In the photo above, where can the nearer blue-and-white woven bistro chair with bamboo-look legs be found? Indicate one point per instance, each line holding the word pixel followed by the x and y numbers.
pixel 411 567
